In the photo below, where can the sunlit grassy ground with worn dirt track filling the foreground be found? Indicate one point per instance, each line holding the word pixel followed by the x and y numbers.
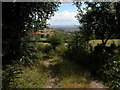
pixel 55 73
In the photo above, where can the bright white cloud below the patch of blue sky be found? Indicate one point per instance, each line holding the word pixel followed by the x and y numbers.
pixel 64 18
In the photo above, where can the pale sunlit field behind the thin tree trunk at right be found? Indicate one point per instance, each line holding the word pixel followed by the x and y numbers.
pixel 116 41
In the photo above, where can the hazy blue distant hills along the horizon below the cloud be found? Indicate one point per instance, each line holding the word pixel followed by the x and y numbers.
pixel 68 28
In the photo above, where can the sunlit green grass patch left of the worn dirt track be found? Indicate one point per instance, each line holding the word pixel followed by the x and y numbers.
pixel 31 77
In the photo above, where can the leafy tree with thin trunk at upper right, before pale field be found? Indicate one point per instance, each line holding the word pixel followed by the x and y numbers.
pixel 100 19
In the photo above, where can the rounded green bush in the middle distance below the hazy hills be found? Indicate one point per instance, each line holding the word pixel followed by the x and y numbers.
pixel 56 39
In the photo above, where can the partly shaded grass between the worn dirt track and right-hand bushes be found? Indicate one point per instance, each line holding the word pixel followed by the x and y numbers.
pixel 71 75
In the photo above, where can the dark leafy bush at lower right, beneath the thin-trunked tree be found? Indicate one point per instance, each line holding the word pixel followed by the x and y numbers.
pixel 106 67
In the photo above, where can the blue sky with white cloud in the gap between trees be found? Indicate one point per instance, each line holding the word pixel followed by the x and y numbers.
pixel 65 15
